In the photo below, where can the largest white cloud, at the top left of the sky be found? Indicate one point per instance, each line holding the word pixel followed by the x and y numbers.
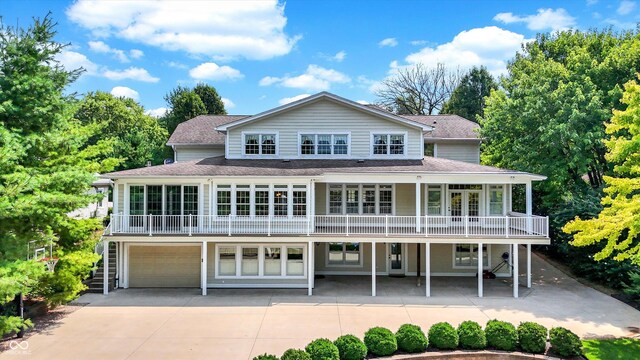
pixel 221 29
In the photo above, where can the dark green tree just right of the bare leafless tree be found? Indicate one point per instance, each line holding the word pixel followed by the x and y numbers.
pixel 468 99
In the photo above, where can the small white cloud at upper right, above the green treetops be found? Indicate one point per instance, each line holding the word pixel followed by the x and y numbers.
pixel 544 19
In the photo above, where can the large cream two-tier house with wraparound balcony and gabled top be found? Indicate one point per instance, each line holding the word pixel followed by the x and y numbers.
pixel 323 185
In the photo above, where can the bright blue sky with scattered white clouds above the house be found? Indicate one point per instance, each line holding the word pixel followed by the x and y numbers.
pixel 262 54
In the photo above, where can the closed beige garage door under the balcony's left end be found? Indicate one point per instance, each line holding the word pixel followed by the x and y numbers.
pixel 164 266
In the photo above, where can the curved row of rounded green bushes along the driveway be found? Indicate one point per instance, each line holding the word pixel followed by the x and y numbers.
pixel 529 337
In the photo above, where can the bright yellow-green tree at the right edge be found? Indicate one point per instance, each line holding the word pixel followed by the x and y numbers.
pixel 619 221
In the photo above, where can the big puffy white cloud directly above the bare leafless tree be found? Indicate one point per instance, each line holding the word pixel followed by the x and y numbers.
pixel 490 46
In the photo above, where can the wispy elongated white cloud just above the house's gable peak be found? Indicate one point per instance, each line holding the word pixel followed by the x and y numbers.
pixel 315 78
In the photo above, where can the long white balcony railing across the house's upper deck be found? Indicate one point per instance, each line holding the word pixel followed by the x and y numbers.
pixel 517 225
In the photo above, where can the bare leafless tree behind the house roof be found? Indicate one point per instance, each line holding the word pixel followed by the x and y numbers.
pixel 418 90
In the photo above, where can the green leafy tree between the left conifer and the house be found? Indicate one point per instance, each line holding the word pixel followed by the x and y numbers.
pixel 138 137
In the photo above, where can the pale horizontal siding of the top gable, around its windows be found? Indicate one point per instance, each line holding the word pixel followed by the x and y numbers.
pixel 329 117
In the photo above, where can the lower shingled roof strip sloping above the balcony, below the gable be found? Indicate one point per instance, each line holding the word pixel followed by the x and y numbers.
pixel 219 166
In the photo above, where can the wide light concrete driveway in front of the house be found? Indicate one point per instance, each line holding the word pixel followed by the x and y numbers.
pixel 239 324
